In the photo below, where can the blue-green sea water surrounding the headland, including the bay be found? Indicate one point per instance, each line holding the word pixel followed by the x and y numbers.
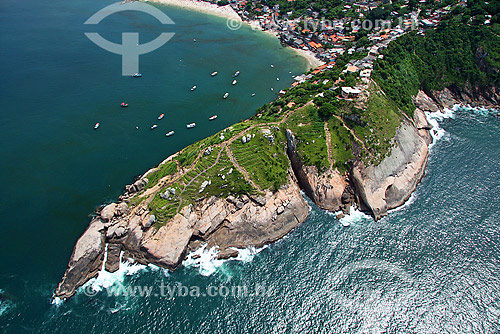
pixel 429 267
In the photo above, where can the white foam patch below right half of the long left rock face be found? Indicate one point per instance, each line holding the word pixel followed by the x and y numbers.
pixel 207 262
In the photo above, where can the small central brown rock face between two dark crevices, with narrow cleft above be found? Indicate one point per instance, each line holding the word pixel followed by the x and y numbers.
pixel 325 189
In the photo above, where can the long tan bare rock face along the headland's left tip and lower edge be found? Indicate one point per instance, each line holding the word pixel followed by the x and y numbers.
pixel 225 223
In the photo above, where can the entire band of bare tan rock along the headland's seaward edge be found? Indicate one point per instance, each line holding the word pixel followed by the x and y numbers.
pixel 231 223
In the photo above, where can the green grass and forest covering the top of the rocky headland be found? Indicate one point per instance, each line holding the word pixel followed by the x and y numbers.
pixel 410 63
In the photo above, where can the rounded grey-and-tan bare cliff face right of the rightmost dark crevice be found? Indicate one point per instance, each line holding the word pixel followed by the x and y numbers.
pixel 391 183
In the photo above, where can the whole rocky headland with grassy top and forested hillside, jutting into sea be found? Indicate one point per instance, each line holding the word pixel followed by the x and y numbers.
pixel 350 133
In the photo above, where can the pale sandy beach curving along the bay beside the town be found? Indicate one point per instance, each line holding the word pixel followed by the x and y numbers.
pixel 235 20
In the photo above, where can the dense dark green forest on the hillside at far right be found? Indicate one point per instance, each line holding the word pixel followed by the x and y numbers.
pixel 457 53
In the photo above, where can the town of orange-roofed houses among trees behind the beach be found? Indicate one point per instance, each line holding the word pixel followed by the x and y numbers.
pixel 329 39
